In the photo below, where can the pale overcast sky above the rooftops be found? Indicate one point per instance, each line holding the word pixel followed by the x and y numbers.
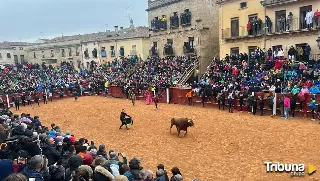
pixel 26 19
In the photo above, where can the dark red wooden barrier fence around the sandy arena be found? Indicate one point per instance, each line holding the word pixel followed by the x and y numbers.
pixel 177 95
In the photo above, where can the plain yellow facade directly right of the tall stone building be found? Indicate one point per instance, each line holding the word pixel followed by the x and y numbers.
pixel 234 17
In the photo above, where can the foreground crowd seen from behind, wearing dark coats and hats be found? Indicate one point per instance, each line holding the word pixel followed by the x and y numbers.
pixel 30 150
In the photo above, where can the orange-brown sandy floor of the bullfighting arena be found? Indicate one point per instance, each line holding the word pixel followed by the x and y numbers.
pixel 221 146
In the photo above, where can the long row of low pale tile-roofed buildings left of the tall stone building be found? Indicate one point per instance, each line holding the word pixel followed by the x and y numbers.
pixel 80 50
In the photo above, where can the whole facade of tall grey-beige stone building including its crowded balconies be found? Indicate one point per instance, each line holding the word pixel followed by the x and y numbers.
pixel 191 27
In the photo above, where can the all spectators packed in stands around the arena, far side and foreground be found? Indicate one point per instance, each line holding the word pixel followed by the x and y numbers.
pixel 30 150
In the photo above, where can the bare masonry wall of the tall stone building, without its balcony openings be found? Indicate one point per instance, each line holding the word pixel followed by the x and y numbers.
pixel 204 27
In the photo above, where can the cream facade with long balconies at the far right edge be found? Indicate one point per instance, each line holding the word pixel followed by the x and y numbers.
pixel 298 33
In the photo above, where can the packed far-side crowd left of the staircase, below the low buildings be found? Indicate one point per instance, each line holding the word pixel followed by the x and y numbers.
pixel 31 78
